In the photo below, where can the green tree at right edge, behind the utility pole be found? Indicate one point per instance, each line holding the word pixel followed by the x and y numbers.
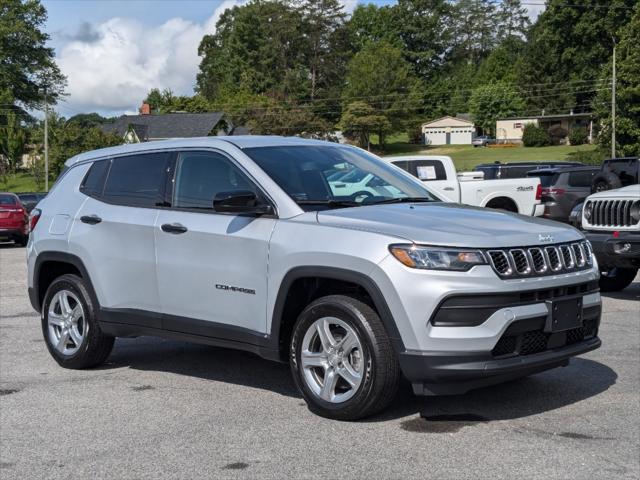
pixel 627 93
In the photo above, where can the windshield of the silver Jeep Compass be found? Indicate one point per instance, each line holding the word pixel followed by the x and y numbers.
pixel 318 176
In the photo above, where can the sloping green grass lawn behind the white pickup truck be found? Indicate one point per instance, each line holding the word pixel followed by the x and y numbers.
pixel 466 157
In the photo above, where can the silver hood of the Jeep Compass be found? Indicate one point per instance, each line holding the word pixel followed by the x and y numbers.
pixel 451 225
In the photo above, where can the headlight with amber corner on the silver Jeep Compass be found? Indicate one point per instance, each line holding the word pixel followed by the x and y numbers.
pixel 437 258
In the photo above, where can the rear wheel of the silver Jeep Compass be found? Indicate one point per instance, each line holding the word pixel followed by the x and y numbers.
pixel 69 325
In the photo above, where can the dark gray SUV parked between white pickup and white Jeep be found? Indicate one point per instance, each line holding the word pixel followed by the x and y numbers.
pixel 563 189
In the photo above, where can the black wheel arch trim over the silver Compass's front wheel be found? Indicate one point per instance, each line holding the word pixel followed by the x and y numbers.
pixel 341 274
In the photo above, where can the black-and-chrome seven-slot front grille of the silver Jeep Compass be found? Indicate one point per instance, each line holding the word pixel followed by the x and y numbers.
pixel 537 261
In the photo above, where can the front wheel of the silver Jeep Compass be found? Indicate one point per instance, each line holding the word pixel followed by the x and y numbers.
pixel 342 359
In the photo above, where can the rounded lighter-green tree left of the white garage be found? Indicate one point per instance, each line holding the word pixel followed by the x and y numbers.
pixel 381 77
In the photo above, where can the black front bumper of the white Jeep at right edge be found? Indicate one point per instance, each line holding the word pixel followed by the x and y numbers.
pixel 605 245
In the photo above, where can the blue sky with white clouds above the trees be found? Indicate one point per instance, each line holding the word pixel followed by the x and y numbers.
pixel 114 51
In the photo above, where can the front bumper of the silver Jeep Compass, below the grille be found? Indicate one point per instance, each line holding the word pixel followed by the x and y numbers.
pixel 528 345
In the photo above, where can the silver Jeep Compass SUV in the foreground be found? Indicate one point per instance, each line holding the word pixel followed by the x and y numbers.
pixel 248 242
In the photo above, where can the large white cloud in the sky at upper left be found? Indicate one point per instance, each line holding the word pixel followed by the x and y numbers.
pixel 113 69
